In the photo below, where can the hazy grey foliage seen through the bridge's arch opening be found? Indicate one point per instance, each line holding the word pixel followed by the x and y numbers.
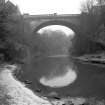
pixel 51 43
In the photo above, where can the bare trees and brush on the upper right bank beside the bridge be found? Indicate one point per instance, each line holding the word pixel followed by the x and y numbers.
pixel 93 16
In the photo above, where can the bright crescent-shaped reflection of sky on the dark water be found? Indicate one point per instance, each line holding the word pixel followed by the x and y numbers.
pixel 68 77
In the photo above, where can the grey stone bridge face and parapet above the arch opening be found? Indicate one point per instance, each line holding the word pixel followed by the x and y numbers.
pixel 37 22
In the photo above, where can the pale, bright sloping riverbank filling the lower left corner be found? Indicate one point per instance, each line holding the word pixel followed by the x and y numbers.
pixel 13 92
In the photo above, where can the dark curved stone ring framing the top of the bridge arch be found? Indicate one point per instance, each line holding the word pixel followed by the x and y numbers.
pixel 73 27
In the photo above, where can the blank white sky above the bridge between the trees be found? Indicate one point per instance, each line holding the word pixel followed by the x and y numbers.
pixel 48 6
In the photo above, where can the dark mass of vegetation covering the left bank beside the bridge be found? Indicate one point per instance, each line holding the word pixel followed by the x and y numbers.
pixel 13 33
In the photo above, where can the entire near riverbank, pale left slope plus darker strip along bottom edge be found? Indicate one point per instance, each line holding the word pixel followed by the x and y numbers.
pixel 14 92
